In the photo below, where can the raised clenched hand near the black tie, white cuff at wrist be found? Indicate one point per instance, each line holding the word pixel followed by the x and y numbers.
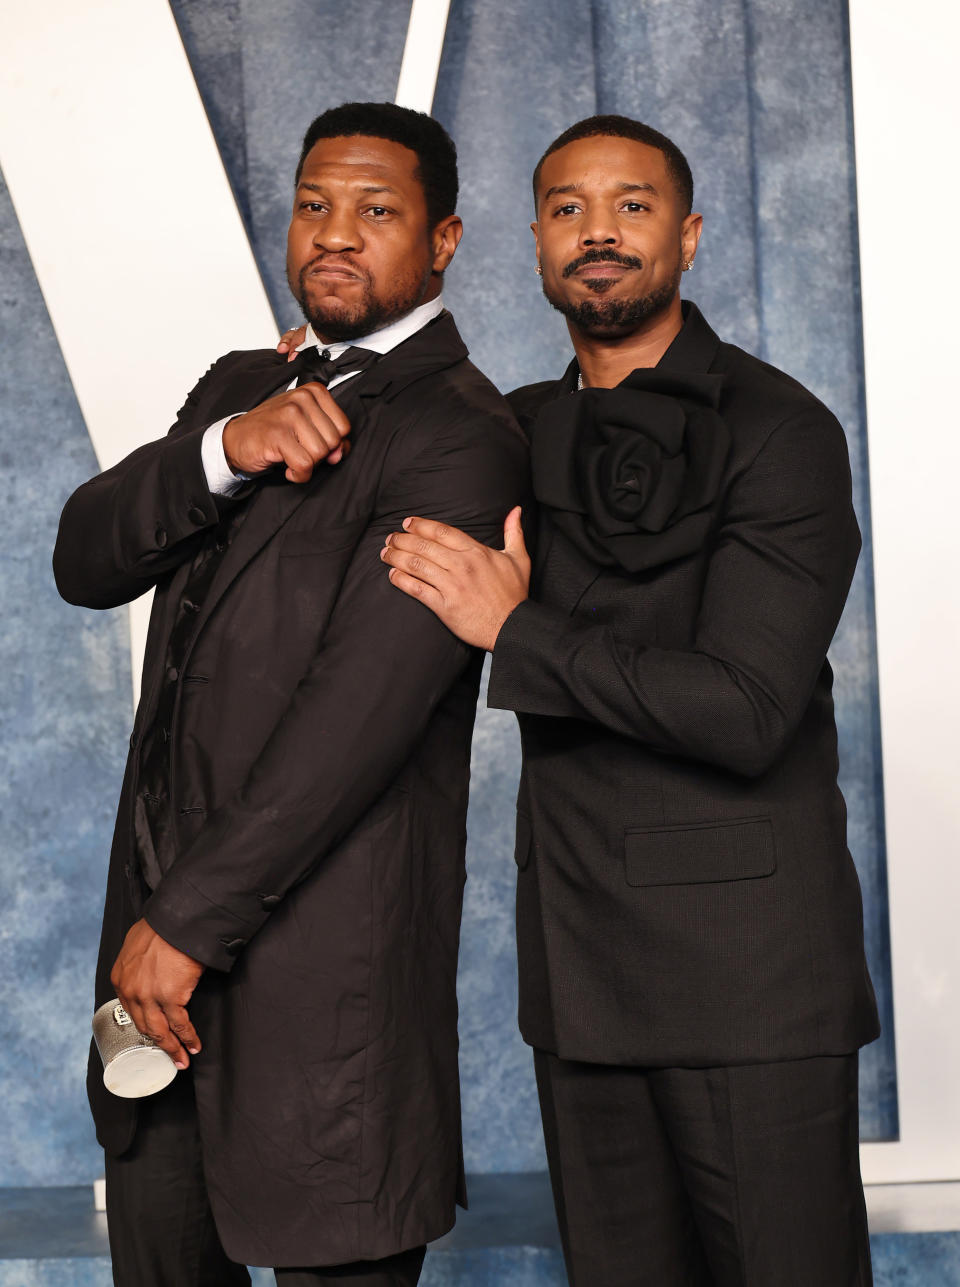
pixel 298 429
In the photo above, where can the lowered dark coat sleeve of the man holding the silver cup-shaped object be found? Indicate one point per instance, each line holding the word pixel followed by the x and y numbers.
pixel 356 718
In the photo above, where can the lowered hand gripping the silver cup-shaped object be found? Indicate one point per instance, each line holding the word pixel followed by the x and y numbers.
pixel 155 981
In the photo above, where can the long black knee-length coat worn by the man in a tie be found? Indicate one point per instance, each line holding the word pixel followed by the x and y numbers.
pixel 318 772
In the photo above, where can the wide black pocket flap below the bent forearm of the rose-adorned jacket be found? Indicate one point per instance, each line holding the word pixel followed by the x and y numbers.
pixel 741 850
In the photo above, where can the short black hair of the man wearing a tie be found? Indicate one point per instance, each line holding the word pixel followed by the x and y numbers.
pixel 434 149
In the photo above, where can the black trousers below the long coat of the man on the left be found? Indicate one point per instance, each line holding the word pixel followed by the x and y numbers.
pixel 162 1228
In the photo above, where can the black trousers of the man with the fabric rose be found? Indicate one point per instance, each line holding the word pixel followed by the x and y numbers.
pixel 707 1177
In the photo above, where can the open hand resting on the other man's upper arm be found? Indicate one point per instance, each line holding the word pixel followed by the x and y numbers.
pixel 469 586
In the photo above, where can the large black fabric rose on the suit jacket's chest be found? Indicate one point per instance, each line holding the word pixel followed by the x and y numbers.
pixel 630 474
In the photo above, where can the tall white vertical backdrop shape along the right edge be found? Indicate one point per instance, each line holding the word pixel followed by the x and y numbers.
pixel 907 106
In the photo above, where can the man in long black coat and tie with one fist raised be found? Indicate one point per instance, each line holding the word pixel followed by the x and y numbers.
pixel 289 854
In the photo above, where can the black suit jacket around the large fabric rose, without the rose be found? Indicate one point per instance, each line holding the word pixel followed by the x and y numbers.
pixel 685 891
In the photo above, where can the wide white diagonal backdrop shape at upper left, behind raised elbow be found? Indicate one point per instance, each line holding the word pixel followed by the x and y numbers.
pixel 127 213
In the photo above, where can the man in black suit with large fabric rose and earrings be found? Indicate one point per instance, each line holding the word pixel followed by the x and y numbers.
pixel 689 918
